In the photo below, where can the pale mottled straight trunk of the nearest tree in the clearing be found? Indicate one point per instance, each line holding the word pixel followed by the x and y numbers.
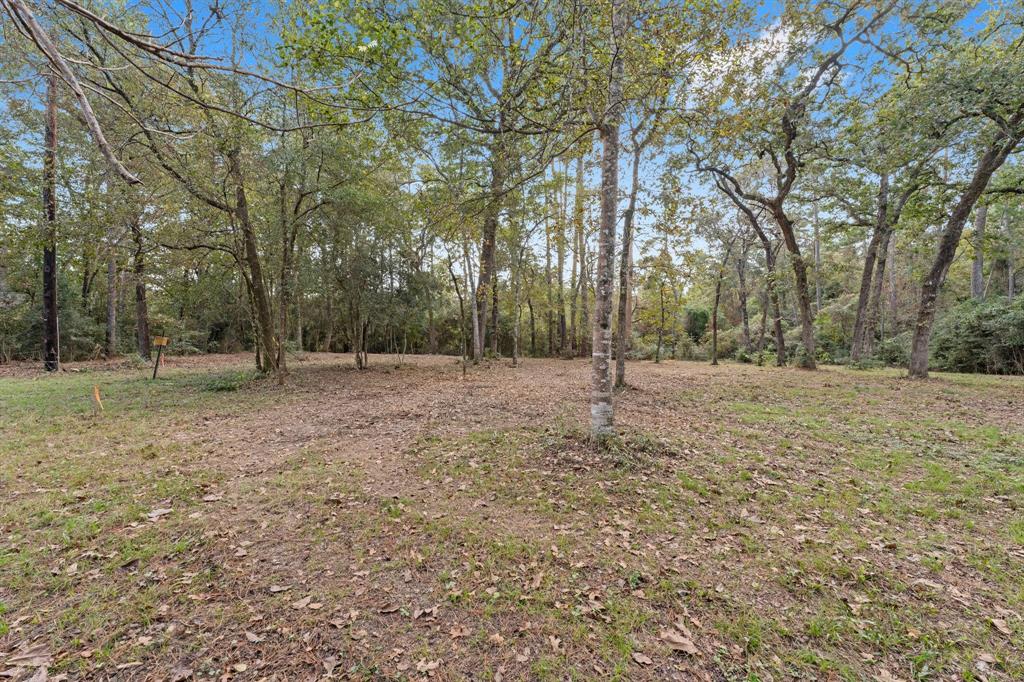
pixel 602 406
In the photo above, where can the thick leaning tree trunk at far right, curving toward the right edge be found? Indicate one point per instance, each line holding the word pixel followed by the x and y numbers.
pixel 990 162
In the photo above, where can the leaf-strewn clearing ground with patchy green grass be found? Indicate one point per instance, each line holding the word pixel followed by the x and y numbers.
pixel 406 523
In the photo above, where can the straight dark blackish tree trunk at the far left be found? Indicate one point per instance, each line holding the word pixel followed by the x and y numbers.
pixel 52 333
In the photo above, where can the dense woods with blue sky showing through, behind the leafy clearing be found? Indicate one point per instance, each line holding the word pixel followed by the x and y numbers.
pixel 798 184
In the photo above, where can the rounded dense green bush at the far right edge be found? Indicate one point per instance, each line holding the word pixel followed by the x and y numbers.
pixel 982 336
